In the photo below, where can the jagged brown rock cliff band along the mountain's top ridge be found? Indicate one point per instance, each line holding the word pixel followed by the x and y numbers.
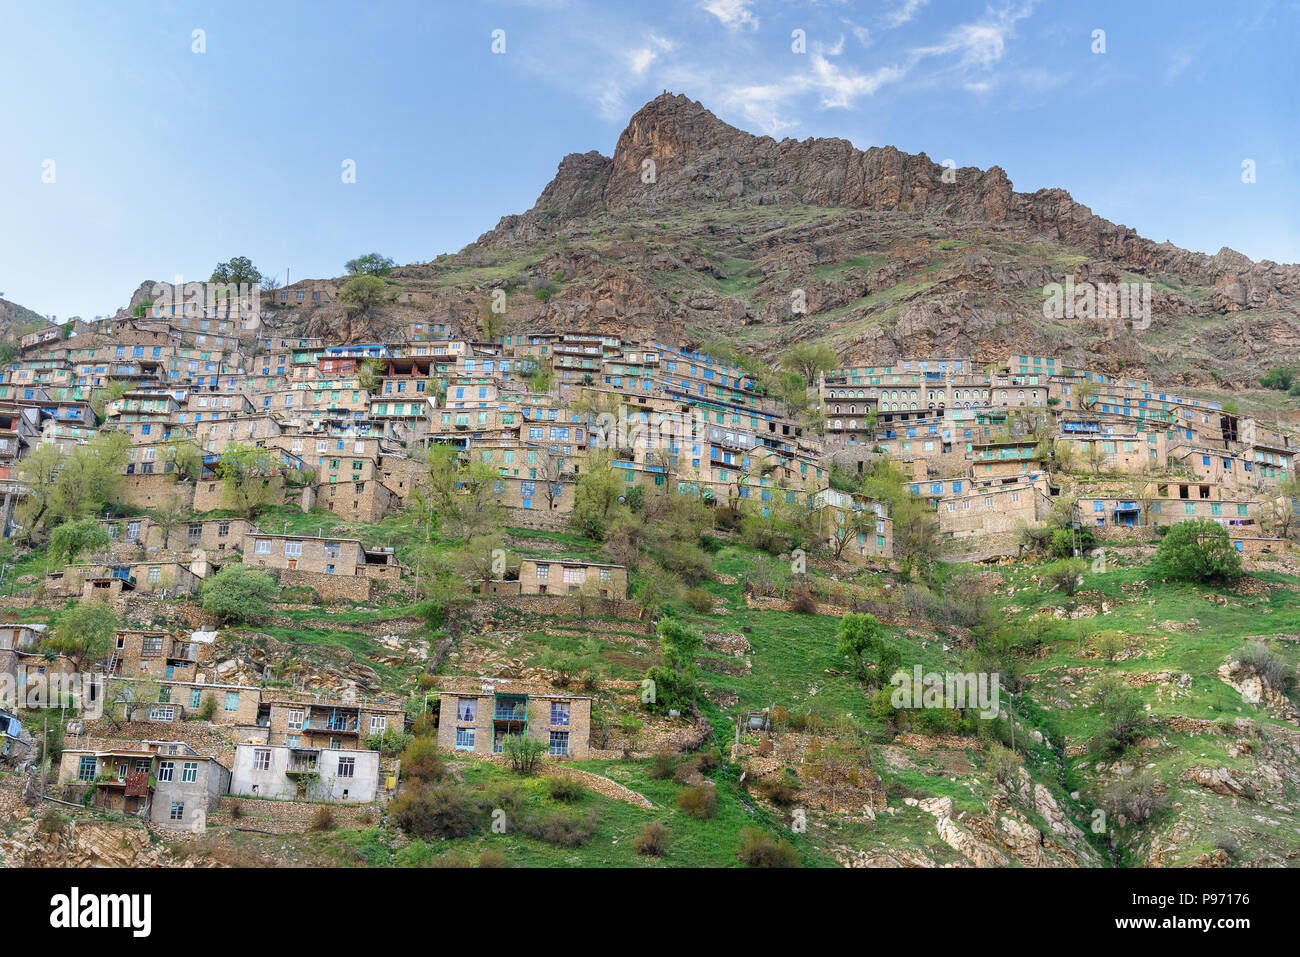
pixel 697 158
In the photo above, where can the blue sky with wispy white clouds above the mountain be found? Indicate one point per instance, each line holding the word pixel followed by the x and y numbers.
pixel 167 162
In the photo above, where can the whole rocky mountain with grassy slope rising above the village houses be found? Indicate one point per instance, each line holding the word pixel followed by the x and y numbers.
pixel 890 257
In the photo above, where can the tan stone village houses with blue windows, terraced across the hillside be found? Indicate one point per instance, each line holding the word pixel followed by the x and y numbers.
pixel 349 427
